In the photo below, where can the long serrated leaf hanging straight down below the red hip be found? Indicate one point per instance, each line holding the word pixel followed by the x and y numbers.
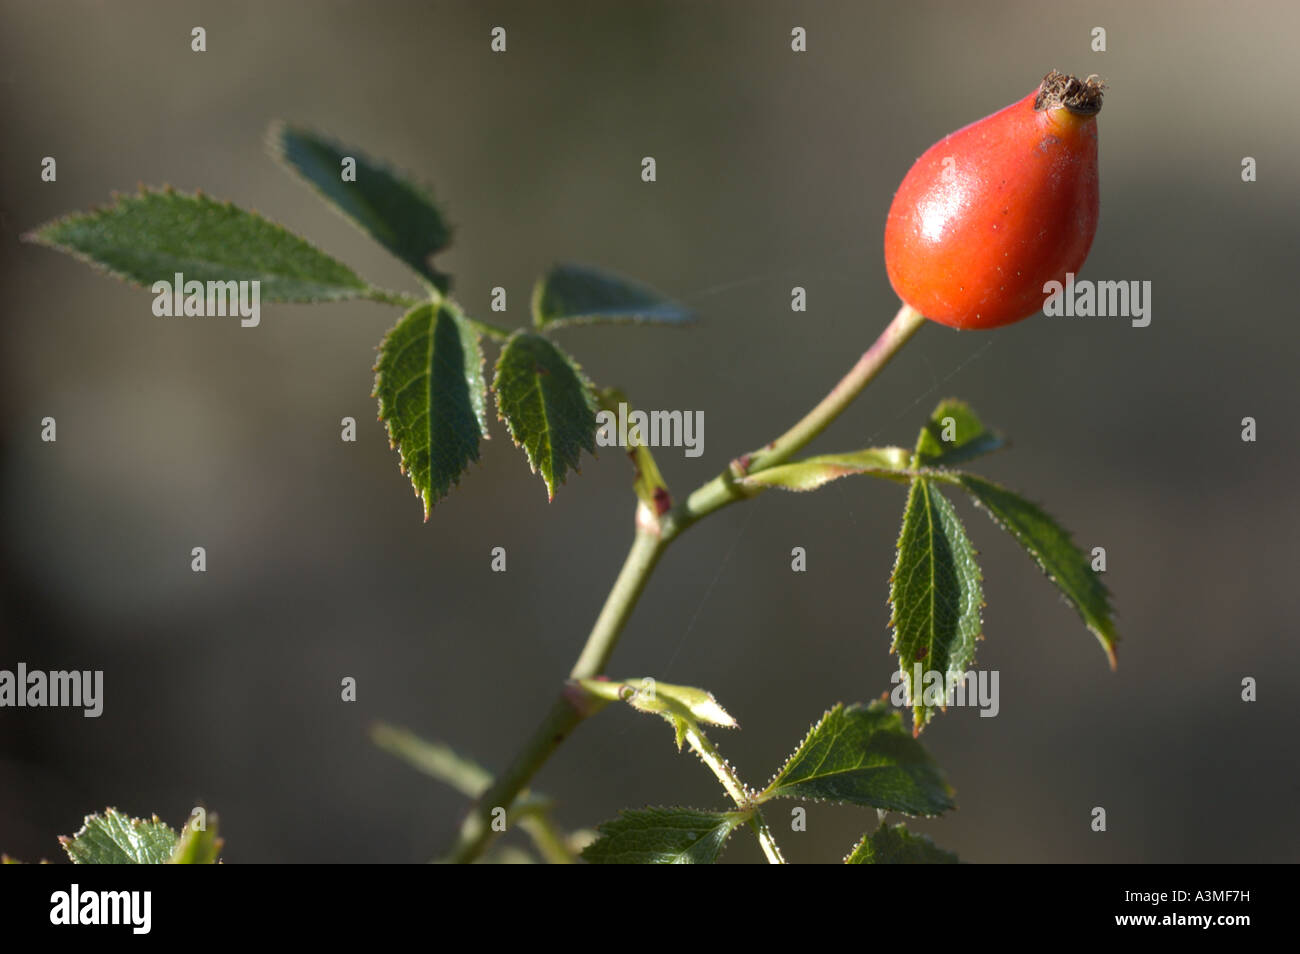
pixel 935 599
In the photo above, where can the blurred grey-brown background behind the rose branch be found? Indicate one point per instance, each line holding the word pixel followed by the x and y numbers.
pixel 775 170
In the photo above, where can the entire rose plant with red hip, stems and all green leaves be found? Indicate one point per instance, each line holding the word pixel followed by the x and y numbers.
pixel 985 222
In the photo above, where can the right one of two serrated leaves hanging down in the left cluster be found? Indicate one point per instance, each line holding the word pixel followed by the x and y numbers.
pixel 548 405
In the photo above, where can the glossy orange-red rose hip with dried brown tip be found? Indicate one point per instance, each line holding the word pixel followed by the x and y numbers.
pixel 991 214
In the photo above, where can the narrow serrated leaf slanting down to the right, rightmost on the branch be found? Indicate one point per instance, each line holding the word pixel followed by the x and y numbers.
pixel 1052 549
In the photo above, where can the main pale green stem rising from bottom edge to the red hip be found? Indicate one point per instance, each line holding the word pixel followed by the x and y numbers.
pixel 653 536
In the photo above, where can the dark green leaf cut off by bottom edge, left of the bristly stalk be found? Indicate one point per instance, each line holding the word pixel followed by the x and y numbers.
pixel 664 836
